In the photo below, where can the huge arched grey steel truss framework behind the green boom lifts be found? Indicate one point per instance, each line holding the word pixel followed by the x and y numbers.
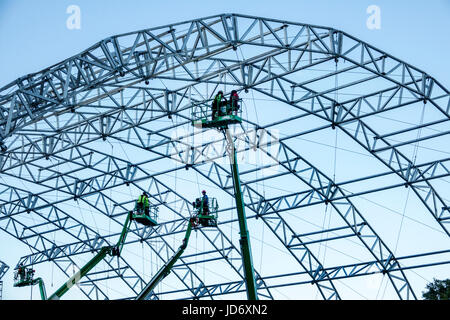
pixel 83 137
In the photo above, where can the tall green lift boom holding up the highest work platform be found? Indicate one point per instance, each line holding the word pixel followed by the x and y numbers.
pixel 244 240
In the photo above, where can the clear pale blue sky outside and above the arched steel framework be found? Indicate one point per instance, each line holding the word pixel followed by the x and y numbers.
pixel 34 35
